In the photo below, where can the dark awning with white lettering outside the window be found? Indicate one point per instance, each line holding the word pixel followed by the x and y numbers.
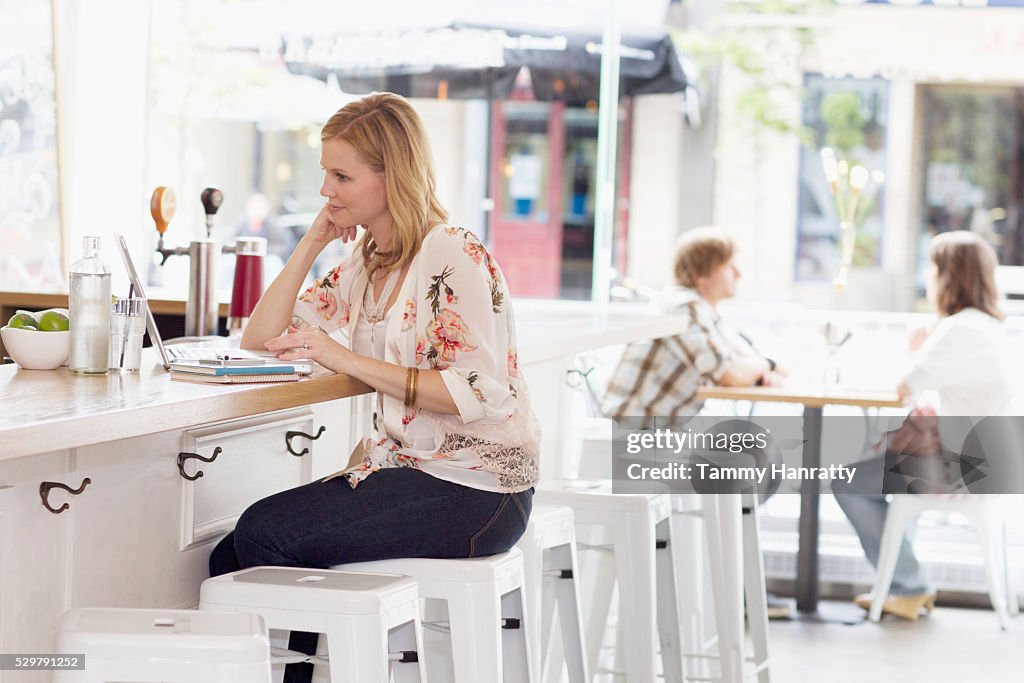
pixel 475 61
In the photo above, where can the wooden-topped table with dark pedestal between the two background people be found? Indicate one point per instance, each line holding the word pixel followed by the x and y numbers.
pixel 814 400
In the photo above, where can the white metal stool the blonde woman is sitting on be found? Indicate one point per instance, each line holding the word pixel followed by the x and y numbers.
pixel 486 610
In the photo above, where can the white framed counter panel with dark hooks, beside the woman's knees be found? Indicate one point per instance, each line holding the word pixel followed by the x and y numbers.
pixel 253 463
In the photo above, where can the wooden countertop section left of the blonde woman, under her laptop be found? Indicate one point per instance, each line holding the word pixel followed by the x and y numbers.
pixel 52 410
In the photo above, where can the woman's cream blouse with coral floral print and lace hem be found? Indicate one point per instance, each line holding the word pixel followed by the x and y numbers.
pixel 456 318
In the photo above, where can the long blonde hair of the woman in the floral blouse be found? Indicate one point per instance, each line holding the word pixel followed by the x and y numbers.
pixel 389 135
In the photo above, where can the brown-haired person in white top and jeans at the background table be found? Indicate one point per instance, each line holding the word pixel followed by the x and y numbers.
pixel 961 369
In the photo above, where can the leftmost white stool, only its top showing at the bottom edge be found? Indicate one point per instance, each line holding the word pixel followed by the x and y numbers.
pixel 164 646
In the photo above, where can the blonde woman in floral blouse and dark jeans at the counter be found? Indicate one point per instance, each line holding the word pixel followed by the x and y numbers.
pixel 421 313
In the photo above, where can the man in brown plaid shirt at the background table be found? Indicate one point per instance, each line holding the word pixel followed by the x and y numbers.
pixel 661 377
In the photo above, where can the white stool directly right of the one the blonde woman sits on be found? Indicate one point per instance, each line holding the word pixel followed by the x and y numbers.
pixel 551 577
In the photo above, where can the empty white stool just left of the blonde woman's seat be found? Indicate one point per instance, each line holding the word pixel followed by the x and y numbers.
pixel 371 622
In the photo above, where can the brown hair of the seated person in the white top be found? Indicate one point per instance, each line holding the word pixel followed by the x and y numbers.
pixel 965 274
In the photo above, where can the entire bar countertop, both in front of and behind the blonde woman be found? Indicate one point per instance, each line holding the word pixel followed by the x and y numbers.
pixel 46 411
